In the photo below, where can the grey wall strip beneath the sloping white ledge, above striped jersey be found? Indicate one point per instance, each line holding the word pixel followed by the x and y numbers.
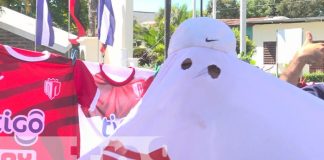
pixel 11 39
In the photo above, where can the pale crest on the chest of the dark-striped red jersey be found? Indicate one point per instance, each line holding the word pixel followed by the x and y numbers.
pixel 52 88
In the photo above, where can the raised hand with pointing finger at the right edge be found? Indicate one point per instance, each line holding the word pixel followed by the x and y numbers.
pixel 311 53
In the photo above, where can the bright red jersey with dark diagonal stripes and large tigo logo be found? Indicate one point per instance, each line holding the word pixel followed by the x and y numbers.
pixel 38 105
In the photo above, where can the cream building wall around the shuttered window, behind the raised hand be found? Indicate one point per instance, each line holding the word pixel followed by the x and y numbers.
pixel 267 32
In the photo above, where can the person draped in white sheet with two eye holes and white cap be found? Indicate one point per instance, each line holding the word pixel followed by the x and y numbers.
pixel 205 104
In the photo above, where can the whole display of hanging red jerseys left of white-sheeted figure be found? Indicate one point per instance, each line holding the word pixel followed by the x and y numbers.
pixel 51 109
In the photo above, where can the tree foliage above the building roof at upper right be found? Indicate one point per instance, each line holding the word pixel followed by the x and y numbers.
pixel 262 8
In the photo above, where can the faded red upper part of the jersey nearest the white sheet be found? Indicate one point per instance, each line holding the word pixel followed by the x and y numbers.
pixel 117 98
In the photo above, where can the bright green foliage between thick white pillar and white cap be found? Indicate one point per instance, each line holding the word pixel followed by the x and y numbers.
pixel 151 52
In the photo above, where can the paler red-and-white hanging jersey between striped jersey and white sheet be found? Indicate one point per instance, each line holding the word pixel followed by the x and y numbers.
pixel 118 90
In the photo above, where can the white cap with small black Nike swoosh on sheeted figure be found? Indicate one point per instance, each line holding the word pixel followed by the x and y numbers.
pixel 190 34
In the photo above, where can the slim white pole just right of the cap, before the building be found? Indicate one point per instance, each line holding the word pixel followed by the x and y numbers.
pixel 243 26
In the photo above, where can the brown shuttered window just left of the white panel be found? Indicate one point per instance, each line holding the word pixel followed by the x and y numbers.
pixel 269 52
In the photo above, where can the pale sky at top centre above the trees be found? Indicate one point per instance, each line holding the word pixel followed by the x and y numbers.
pixel 154 5
